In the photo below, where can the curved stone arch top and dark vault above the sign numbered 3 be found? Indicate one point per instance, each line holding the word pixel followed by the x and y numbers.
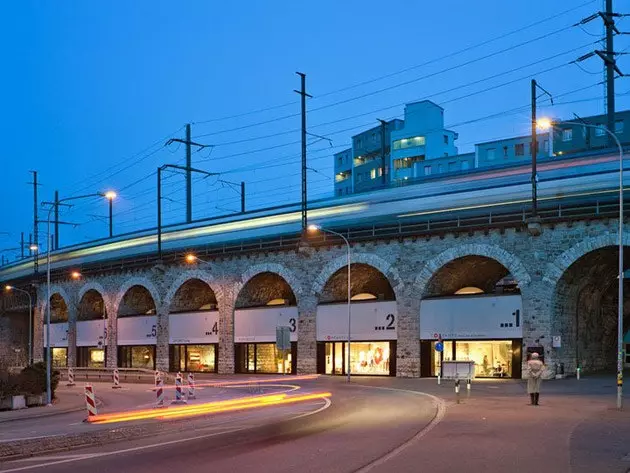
pixel 280 283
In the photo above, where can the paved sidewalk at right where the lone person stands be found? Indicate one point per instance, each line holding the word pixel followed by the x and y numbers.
pixel 576 428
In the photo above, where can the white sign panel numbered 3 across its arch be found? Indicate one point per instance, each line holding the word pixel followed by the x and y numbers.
pixel 259 324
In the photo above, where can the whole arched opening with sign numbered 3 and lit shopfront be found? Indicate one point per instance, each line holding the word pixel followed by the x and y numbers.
pixel 265 303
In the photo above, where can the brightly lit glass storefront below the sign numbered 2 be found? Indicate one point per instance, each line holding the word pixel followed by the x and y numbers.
pixel 366 358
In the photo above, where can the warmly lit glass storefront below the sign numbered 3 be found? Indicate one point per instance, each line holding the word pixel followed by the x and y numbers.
pixel 264 358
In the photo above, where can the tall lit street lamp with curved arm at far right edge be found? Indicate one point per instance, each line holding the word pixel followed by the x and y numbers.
pixel 546 123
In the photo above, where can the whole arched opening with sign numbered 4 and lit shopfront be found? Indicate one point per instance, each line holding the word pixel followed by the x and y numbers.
pixel 193 328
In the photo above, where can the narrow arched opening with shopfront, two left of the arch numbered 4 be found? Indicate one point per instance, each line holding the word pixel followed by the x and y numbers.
pixel 91 330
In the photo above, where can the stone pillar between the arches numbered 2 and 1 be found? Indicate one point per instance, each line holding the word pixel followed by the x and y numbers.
pixel 408 345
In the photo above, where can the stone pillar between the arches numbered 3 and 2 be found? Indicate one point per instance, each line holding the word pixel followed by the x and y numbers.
pixel 307 335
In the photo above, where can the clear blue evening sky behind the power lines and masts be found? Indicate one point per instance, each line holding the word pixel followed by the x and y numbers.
pixel 92 89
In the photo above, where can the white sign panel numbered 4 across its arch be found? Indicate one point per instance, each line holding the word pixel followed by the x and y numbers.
pixel 196 327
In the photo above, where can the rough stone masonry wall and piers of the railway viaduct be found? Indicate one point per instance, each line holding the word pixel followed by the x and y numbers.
pixel 550 270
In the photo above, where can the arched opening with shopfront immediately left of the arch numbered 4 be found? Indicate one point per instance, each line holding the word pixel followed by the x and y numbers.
pixel 137 329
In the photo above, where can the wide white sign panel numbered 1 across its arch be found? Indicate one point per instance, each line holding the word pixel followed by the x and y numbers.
pixel 472 317
